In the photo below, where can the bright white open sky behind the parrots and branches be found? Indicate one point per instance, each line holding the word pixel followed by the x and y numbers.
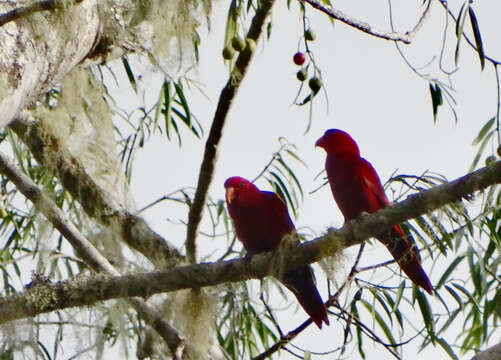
pixel 372 94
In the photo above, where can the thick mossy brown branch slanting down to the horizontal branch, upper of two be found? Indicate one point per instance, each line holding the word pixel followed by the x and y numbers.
pixel 97 203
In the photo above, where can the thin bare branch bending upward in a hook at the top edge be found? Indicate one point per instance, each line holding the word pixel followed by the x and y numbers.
pixel 367 28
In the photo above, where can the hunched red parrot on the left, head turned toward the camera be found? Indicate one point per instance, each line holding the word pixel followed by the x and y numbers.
pixel 261 222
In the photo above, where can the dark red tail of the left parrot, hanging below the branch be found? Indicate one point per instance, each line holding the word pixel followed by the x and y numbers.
pixel 302 284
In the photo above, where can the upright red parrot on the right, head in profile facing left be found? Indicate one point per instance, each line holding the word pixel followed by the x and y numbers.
pixel 356 188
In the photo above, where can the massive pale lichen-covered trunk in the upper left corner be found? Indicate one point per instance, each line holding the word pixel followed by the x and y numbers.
pixel 65 38
